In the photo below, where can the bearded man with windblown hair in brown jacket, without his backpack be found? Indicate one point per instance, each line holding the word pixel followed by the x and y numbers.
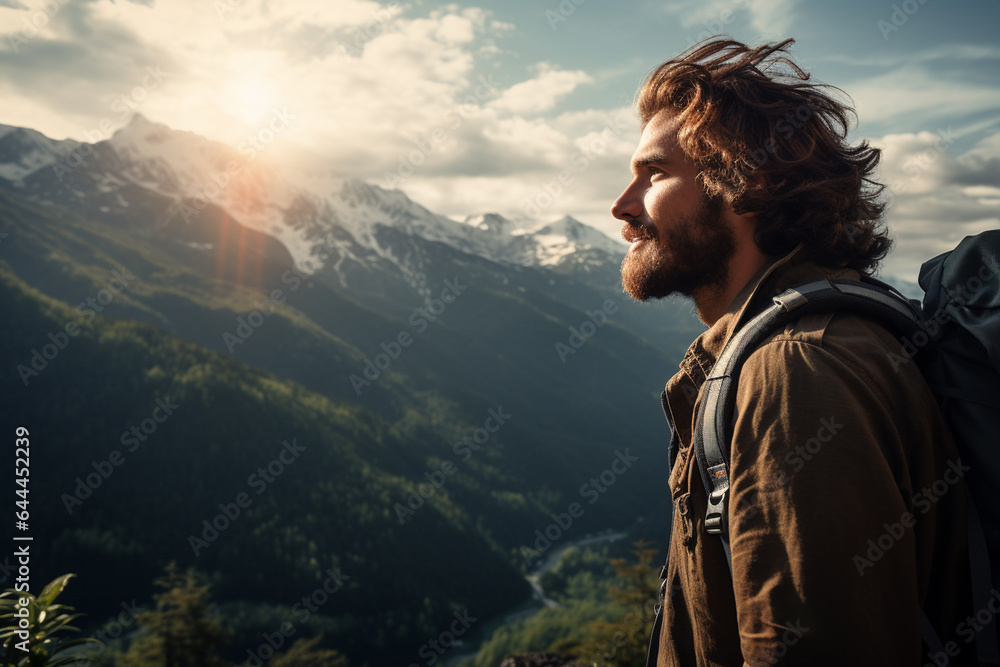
pixel 743 184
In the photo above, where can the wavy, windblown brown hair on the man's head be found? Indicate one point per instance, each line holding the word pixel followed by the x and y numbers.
pixel 771 143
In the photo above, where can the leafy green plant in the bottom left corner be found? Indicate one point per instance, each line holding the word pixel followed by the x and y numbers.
pixel 44 618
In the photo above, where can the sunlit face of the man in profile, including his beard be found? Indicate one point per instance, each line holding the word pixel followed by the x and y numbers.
pixel 681 242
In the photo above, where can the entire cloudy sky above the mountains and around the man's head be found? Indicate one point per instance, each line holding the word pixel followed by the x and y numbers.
pixel 520 108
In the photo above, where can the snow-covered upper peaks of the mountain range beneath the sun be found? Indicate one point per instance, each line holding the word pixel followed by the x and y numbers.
pixel 325 221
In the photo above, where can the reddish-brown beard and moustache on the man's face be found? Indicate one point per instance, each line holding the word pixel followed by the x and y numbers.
pixel 693 255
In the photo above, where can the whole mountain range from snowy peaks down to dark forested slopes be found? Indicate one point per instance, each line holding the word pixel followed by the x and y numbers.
pixel 353 300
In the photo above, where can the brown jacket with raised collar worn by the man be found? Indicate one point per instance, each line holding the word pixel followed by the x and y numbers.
pixel 846 513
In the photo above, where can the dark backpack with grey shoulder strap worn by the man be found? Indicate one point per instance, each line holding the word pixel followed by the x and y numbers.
pixel 955 337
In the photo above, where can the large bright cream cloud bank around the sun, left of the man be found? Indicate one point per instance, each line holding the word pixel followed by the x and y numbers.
pixel 399 96
